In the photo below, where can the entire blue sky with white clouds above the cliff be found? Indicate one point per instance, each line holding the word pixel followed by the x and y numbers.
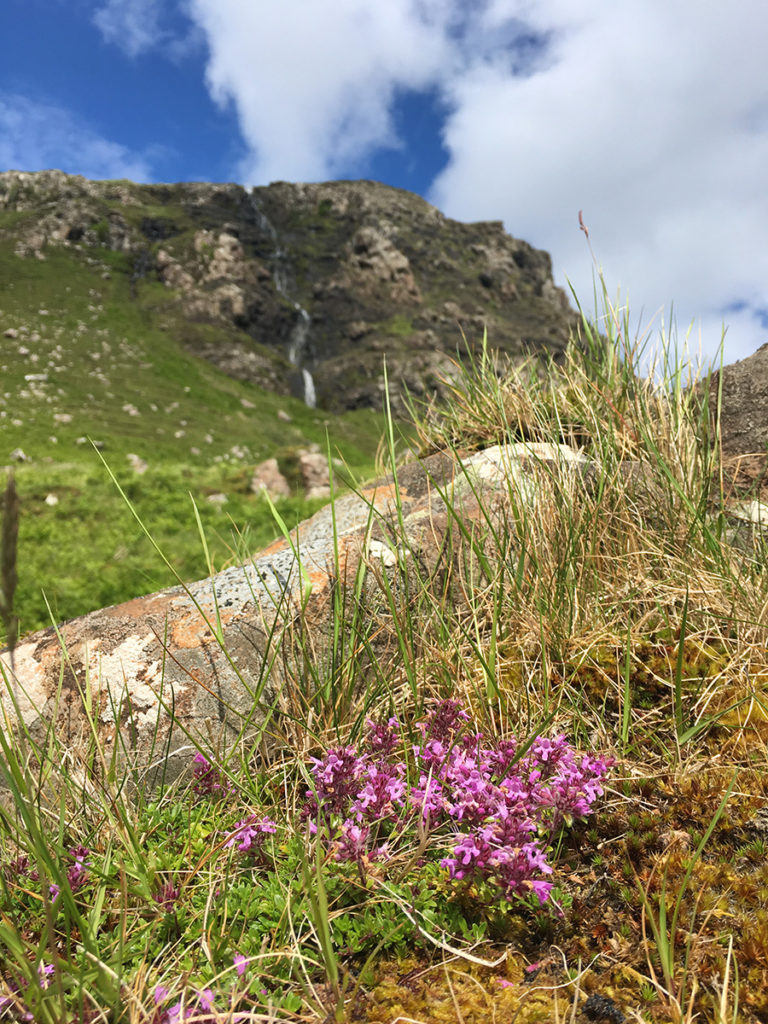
pixel 651 116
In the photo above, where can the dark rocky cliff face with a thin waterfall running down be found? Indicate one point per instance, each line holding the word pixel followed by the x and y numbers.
pixel 303 288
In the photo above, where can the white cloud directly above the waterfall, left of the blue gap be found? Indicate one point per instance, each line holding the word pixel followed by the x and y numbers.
pixel 314 81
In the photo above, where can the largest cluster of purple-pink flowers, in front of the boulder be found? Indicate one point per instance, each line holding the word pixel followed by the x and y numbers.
pixel 499 809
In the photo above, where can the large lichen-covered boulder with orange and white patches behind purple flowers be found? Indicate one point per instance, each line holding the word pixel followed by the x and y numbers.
pixel 207 664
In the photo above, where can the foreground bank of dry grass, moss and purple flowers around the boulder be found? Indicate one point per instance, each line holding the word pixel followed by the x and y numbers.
pixel 529 788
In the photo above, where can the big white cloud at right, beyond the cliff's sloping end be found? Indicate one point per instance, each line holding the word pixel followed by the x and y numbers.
pixel 653 118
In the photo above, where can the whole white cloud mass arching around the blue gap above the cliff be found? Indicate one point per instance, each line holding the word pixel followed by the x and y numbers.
pixel 652 116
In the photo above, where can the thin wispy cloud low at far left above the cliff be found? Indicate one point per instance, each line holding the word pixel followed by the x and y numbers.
pixel 36 136
